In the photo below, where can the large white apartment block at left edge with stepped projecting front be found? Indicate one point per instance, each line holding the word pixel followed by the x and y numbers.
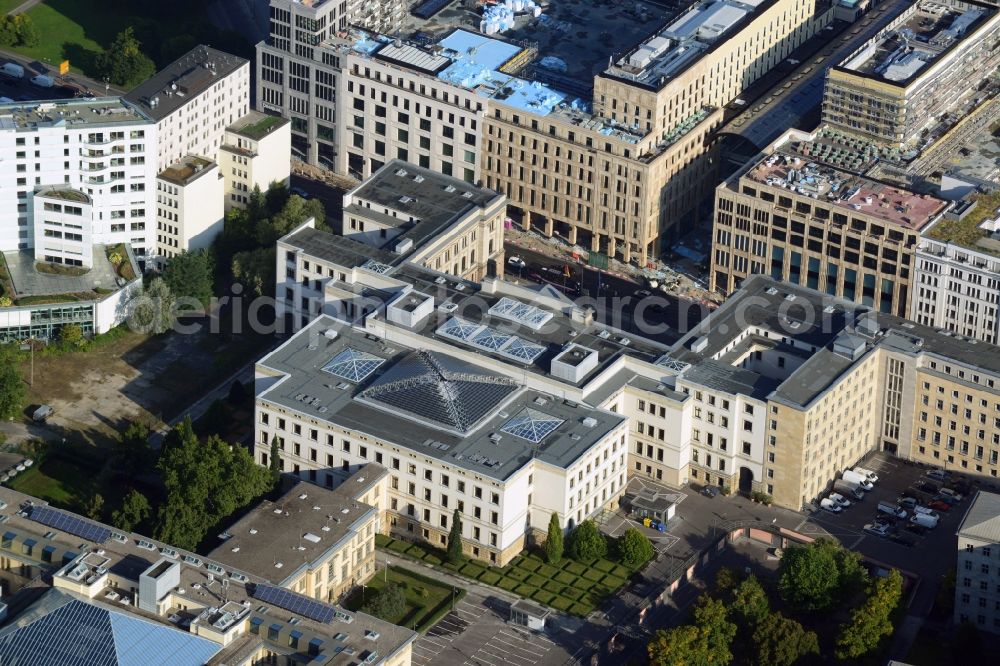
pixel 76 173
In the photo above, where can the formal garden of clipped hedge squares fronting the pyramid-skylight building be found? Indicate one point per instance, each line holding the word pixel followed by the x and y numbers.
pixel 570 586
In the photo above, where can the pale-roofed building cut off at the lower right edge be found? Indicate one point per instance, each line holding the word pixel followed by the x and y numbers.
pixel 977 578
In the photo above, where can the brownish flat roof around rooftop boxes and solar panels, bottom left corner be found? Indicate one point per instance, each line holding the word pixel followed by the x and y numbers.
pixel 128 555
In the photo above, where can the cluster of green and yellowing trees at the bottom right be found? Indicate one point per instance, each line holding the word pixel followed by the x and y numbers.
pixel 811 580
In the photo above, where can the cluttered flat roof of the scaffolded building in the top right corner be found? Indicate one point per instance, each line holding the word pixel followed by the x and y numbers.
pixel 903 52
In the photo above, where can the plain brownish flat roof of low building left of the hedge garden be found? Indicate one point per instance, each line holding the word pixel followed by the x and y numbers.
pixel 297 529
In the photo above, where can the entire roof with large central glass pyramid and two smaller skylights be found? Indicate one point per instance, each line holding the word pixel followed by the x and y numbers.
pixel 368 388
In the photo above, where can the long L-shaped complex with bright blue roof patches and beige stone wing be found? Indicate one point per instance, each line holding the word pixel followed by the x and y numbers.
pixel 614 180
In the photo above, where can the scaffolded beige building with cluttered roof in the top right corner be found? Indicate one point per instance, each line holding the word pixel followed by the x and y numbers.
pixel 917 68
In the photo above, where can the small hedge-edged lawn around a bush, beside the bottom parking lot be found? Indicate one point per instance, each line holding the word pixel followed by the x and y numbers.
pixel 426 600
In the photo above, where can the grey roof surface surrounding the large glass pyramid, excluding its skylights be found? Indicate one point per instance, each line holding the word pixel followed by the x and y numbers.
pixel 486 450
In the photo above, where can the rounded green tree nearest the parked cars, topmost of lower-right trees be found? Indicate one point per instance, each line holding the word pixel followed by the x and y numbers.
pixel 813 576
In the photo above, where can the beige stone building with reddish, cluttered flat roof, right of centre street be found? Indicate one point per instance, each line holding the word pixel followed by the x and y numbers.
pixel 790 215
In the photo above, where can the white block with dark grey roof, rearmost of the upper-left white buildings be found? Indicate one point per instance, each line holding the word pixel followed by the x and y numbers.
pixel 192 101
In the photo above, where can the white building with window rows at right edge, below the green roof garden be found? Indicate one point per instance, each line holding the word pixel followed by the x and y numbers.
pixel 957 286
